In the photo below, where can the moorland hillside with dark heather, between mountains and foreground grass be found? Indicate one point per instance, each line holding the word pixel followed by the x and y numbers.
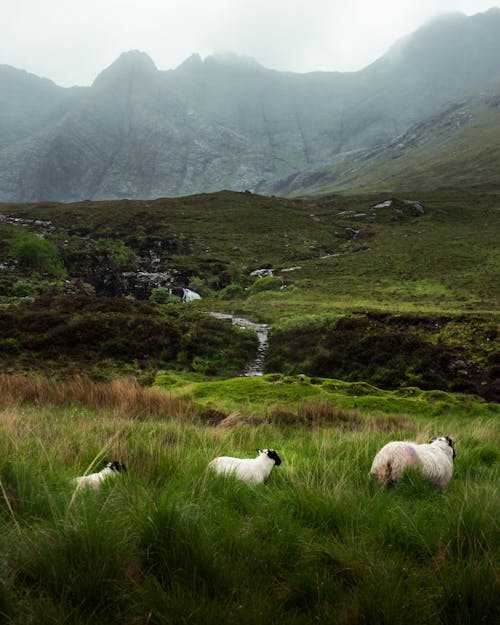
pixel 392 290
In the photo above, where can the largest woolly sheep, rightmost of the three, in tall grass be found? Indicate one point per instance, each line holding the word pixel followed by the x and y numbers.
pixel 433 460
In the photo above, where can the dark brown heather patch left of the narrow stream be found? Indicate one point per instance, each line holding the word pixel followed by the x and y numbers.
pixel 107 336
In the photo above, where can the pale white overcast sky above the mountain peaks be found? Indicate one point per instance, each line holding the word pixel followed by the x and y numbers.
pixel 71 41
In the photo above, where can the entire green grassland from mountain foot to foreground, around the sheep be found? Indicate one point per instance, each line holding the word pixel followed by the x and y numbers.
pixel 386 328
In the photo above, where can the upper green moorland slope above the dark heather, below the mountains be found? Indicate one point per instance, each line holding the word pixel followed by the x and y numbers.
pixel 445 260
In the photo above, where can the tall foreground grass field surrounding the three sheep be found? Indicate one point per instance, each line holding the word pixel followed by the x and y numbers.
pixel 170 543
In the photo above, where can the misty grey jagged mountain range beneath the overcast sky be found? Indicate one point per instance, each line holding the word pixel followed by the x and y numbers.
pixel 226 121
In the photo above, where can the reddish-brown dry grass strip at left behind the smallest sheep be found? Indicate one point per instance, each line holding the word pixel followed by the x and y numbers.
pixel 124 396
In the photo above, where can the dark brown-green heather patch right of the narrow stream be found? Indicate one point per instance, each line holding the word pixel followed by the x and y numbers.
pixel 389 351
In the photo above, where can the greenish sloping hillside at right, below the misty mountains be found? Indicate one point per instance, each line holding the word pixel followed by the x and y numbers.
pixel 458 146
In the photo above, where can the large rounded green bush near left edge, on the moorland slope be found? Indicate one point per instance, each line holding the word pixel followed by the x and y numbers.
pixel 35 253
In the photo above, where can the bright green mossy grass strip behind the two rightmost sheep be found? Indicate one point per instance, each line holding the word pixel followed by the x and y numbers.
pixel 259 396
